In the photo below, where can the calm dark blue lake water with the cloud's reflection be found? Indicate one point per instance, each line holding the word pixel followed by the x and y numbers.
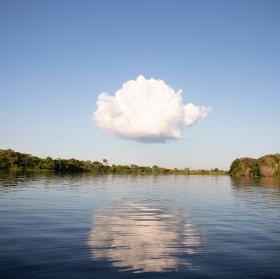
pixel 84 226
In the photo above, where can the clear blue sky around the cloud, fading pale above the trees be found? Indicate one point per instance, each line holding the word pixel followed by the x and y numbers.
pixel 57 56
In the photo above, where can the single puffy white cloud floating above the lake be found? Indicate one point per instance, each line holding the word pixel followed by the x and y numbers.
pixel 147 110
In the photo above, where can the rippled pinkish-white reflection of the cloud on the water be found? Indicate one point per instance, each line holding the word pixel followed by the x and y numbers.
pixel 143 239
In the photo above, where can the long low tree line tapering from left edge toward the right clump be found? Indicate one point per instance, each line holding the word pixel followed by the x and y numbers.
pixel 11 160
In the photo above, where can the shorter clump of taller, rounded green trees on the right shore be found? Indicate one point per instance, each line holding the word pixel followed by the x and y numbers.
pixel 268 165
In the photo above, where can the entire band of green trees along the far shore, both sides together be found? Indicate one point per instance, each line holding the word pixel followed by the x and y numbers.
pixel 265 166
